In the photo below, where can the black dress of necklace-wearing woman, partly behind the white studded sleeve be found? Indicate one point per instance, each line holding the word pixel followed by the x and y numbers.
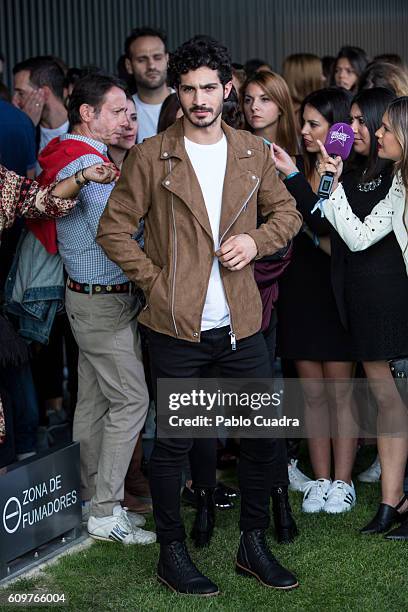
pixel 375 285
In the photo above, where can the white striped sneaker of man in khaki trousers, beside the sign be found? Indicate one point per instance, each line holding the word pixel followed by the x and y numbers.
pixel 118 528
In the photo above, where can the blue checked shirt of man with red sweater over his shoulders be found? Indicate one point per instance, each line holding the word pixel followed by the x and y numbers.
pixel 83 258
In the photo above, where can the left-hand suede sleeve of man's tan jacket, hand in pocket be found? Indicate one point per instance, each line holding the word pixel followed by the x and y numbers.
pixel 128 204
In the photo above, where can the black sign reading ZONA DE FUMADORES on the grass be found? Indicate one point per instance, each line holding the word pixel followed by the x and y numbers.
pixel 39 500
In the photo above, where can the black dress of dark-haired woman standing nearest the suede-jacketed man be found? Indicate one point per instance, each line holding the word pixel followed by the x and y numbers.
pixel 309 325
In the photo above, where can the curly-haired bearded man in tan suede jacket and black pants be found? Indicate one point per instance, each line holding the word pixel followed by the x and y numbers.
pixel 198 187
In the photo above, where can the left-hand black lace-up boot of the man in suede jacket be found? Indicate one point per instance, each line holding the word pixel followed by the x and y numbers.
pixel 177 571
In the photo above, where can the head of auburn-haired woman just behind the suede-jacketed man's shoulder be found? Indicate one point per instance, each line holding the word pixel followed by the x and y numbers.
pixel 268 110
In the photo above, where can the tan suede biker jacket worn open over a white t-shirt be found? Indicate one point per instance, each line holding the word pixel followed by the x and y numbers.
pixel 158 184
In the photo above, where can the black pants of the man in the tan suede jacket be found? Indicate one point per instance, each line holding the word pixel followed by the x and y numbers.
pixel 259 458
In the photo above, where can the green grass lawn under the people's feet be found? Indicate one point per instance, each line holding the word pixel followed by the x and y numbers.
pixel 338 570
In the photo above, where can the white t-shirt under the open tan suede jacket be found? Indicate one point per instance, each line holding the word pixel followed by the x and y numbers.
pixel 209 163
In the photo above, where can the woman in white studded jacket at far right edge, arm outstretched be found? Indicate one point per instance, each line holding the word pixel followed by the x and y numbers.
pixel 390 214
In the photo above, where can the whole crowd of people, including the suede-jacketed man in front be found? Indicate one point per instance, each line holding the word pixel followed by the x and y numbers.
pixel 203 251
